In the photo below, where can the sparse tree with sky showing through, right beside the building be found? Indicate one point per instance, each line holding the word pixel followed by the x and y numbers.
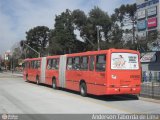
pixel 124 17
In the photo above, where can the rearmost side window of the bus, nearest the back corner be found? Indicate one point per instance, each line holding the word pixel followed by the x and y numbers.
pixel 100 62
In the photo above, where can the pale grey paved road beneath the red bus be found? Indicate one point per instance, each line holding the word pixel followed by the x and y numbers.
pixel 18 96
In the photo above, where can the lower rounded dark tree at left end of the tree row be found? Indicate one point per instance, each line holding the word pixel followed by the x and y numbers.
pixel 37 38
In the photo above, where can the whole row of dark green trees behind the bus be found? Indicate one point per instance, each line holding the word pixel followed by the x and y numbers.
pixel 115 31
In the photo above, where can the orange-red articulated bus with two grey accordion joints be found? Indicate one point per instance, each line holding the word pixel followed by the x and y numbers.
pixel 104 72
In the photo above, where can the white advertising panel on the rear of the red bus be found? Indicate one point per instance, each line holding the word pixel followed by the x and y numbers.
pixel 124 61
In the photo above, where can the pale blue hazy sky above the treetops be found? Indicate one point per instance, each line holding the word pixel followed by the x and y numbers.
pixel 18 16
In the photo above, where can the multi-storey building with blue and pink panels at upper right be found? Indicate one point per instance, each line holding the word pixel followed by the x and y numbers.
pixel 148 18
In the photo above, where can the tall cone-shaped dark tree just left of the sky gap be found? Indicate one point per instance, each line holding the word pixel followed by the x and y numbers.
pixel 62 39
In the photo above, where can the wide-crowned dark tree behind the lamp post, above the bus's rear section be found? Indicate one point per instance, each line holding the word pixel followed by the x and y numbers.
pixel 88 26
